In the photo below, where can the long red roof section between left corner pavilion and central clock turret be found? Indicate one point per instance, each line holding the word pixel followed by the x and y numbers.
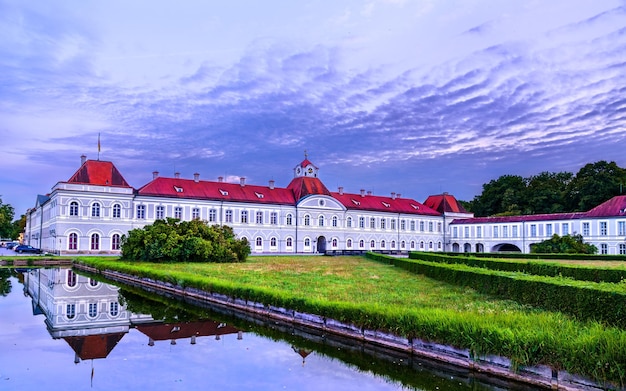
pixel 206 190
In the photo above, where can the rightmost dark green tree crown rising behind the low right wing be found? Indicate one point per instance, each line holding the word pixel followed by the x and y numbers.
pixel 594 184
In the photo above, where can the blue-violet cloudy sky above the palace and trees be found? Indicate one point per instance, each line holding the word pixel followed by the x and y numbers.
pixel 415 97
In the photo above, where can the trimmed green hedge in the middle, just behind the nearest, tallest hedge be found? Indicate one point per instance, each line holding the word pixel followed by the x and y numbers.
pixel 582 273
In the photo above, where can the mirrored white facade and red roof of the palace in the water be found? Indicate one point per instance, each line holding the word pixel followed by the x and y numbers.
pixel 88 315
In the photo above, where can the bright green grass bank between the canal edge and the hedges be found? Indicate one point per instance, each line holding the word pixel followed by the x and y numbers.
pixel 379 296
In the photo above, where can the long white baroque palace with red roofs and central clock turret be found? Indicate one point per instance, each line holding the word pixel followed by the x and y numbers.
pixel 90 212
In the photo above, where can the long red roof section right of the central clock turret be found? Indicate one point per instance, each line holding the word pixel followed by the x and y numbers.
pixel 383 204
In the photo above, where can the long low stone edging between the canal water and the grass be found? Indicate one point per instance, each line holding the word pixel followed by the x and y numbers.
pixel 542 376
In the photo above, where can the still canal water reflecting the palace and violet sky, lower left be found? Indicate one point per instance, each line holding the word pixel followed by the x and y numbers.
pixel 65 331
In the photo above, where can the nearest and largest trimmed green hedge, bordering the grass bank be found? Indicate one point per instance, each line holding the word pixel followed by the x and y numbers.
pixel 583 300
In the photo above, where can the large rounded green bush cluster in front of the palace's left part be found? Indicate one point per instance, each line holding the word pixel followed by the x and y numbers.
pixel 172 240
